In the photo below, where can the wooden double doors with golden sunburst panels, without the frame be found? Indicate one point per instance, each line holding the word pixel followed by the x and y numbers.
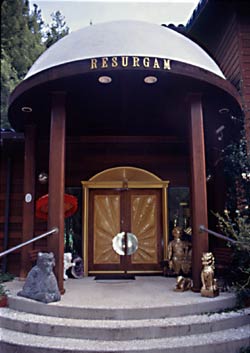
pixel 136 211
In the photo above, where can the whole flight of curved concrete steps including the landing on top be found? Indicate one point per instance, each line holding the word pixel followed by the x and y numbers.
pixel 142 316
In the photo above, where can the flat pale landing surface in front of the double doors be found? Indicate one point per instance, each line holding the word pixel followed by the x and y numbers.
pixel 143 292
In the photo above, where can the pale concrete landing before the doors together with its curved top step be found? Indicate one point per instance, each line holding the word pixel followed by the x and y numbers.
pixel 155 293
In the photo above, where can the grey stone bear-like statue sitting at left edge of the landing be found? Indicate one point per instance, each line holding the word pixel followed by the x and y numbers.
pixel 41 283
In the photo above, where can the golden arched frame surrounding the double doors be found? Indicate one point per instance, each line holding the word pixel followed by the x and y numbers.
pixel 123 178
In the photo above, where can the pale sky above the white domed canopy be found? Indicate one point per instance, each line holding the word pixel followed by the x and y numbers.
pixel 81 13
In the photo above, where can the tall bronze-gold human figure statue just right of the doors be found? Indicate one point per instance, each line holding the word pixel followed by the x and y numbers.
pixel 179 253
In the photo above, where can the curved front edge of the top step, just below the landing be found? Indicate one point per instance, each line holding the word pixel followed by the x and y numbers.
pixel 60 309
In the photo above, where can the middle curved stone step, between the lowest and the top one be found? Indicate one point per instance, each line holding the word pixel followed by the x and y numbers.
pixel 122 330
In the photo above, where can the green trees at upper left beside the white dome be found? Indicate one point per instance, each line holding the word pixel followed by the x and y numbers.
pixel 22 42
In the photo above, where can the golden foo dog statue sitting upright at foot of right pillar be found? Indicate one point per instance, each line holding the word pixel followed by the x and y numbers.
pixel 209 283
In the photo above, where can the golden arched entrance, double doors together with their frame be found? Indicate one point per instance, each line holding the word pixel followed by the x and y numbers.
pixel 124 222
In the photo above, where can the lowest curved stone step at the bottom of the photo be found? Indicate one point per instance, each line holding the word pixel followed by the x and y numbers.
pixel 226 341
